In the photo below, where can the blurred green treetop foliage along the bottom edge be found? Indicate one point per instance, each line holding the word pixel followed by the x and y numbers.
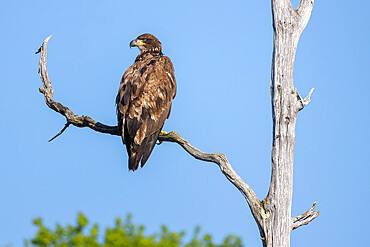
pixel 122 234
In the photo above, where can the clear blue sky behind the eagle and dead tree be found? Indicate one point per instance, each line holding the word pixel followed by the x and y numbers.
pixel 221 51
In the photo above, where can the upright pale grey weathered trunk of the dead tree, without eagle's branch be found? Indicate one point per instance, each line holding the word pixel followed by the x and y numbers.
pixel 288 25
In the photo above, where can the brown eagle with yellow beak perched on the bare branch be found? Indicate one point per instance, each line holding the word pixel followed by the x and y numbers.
pixel 144 99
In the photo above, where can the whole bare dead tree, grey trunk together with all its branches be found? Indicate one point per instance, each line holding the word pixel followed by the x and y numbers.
pixel 272 214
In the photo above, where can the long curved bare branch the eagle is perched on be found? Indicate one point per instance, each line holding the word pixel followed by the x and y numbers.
pixel 85 121
